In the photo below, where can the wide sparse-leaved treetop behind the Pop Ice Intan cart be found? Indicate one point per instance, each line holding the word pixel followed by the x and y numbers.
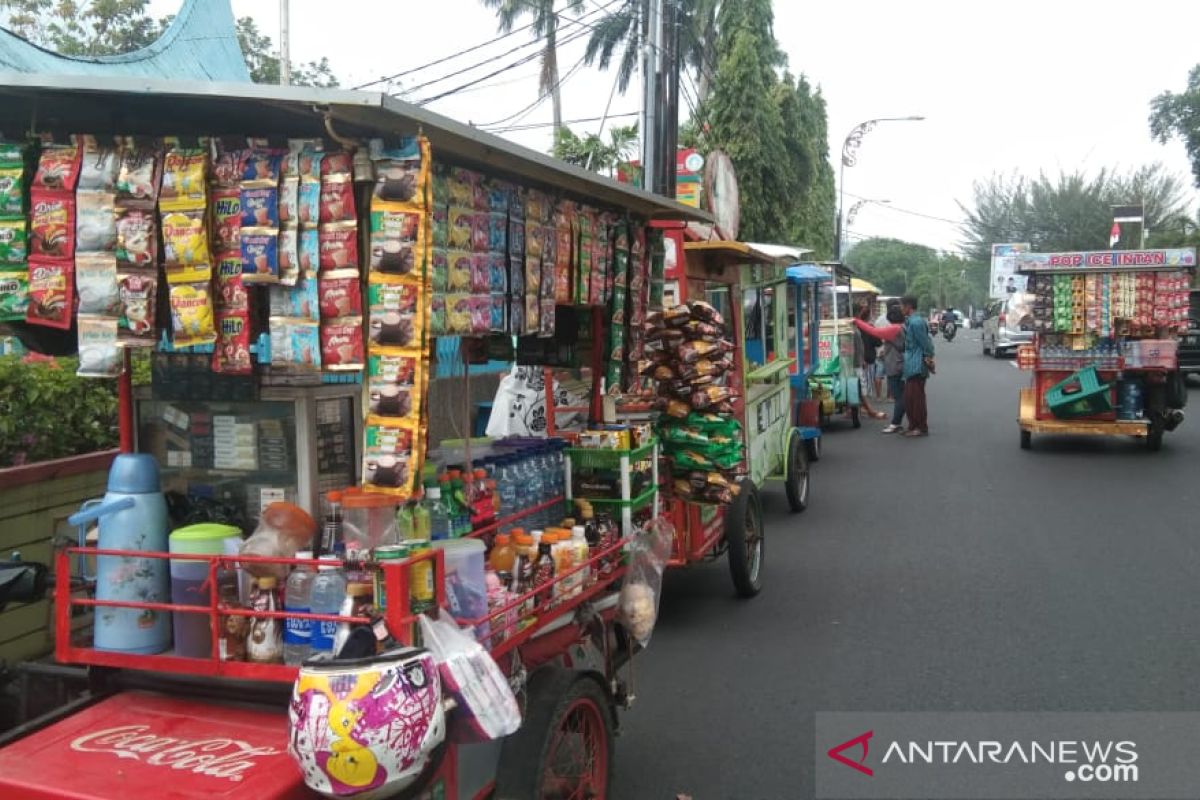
pixel 1070 212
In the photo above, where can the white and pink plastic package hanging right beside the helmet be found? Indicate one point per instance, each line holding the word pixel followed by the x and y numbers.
pixel 472 677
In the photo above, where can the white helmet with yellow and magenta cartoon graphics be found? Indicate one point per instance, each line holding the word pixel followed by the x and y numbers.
pixel 367 729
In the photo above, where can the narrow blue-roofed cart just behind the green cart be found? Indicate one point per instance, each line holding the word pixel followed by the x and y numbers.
pixel 805 282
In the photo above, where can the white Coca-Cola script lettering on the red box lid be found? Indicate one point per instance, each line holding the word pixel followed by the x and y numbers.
pixel 215 757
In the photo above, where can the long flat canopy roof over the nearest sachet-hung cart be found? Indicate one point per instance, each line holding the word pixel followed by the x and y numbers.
pixel 65 105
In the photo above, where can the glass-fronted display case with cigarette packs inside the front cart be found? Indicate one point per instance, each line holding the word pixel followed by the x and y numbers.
pixel 292 444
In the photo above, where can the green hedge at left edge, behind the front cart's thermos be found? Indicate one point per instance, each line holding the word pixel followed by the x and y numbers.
pixel 46 412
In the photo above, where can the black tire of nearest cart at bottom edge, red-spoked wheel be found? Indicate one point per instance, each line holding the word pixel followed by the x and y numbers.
pixel 549 694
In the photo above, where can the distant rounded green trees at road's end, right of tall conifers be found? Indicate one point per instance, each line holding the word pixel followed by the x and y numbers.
pixel 938 280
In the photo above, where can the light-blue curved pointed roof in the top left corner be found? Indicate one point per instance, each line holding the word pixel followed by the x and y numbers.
pixel 201 44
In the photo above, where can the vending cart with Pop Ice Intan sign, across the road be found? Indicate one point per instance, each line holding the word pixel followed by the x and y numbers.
pixel 1107 328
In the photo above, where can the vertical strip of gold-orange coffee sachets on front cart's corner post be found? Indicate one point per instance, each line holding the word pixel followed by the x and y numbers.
pixel 398 305
